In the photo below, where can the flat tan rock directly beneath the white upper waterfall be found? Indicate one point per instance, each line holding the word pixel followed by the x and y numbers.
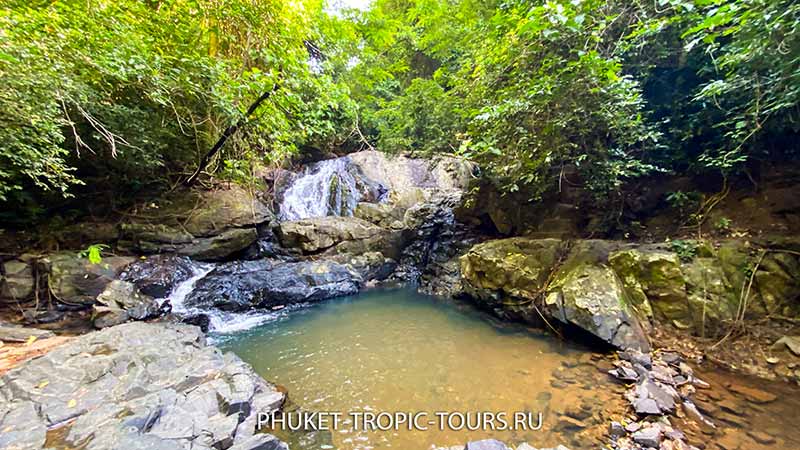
pixel 321 233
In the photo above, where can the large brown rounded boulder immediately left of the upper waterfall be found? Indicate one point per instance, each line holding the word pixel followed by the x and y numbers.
pixel 206 225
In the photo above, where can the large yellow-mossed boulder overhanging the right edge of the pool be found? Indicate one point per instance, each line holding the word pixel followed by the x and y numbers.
pixel 516 277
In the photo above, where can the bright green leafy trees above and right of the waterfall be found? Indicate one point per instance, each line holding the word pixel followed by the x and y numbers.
pixel 522 88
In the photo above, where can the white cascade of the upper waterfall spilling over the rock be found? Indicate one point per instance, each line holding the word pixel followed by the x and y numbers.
pixel 328 188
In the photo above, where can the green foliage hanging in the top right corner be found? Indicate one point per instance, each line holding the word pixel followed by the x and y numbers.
pixel 755 49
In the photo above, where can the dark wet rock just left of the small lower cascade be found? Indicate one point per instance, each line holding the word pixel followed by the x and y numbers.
pixel 158 275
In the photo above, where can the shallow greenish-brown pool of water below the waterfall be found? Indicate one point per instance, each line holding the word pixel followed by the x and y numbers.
pixel 401 351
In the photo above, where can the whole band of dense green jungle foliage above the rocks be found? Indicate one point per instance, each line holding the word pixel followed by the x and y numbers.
pixel 127 96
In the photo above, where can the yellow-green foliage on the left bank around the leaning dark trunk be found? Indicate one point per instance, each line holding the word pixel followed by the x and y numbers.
pixel 135 91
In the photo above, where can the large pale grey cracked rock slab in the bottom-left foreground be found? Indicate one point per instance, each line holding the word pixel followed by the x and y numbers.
pixel 137 385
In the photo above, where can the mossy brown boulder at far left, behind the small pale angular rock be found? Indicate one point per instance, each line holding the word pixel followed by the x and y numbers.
pixel 76 280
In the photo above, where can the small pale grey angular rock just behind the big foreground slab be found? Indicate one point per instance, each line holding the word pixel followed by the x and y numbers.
pixel 121 301
